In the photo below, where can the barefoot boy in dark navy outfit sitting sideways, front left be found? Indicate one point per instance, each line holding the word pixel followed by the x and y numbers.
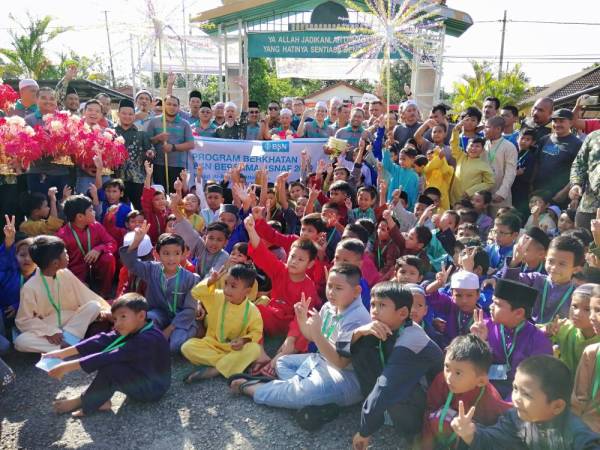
pixel 133 359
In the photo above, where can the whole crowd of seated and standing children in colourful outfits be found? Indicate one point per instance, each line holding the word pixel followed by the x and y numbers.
pixel 448 313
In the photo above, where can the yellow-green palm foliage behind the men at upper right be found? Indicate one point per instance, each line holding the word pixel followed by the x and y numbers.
pixel 471 91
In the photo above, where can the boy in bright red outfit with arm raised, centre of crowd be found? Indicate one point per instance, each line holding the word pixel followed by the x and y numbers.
pixel 290 283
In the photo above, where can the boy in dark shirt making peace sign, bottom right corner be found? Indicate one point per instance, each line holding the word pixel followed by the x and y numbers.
pixel 541 417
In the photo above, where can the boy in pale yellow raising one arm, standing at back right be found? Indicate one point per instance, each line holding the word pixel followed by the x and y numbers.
pixel 472 173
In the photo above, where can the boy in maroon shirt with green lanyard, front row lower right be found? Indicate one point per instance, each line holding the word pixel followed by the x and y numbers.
pixel 464 379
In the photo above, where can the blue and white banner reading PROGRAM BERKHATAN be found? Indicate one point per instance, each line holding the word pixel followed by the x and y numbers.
pixel 219 155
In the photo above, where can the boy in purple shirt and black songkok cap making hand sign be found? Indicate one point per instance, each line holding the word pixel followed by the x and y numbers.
pixel 510 335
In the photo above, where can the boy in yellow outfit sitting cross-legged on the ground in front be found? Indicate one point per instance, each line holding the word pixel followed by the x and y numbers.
pixel 234 326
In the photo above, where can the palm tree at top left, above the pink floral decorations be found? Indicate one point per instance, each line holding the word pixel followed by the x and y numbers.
pixel 27 55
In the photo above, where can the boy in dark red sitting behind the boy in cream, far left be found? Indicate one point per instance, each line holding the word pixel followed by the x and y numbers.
pixel 91 249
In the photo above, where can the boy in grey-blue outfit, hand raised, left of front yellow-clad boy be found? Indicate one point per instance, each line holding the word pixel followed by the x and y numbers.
pixel 168 285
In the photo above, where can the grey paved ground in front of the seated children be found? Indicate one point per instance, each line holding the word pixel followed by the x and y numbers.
pixel 203 416
